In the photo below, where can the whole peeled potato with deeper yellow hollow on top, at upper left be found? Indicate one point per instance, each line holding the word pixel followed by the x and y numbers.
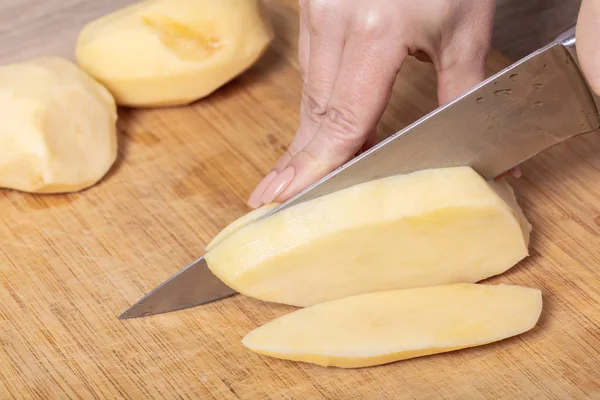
pixel 173 52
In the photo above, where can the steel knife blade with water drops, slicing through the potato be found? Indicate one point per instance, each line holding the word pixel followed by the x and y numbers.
pixel 528 107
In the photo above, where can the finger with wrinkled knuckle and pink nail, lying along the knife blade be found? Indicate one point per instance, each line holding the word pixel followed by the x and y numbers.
pixel 361 94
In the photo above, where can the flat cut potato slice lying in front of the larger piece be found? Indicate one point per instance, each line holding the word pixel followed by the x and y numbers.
pixel 383 327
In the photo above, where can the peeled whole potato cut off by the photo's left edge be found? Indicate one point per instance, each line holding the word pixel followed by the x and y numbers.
pixel 58 127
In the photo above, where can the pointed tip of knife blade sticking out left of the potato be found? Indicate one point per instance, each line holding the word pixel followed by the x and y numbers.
pixel 192 286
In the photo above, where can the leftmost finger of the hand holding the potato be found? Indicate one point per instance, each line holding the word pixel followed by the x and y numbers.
pixel 320 52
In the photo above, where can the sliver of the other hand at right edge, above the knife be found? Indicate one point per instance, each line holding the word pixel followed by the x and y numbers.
pixel 588 42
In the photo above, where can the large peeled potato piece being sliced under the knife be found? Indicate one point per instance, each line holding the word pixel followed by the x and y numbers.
pixel 427 228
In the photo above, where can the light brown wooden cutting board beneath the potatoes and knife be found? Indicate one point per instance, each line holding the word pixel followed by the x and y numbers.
pixel 70 264
